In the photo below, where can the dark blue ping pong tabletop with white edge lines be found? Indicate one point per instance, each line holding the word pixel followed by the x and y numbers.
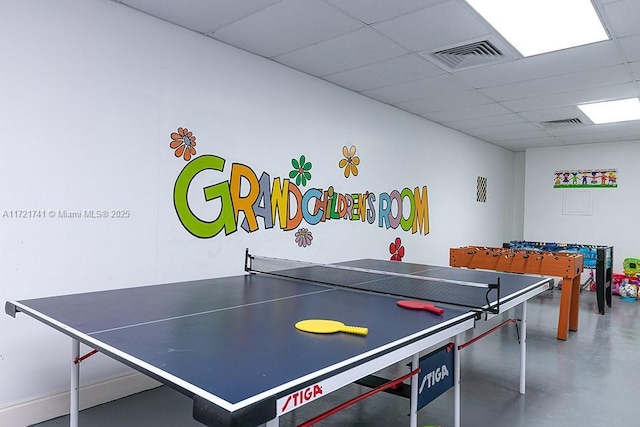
pixel 230 343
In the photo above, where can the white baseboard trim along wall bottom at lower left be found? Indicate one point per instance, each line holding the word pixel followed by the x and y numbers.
pixel 56 405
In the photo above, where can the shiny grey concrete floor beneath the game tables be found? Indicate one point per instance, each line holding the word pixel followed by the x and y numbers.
pixel 592 379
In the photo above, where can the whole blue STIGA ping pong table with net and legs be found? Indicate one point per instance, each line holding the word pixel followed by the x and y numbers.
pixel 230 343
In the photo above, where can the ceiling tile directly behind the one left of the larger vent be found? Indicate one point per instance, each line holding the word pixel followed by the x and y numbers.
pixel 418 89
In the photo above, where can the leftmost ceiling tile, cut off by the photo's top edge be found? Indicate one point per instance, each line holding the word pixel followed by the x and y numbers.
pixel 200 15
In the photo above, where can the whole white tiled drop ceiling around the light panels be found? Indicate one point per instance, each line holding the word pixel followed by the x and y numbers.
pixel 436 59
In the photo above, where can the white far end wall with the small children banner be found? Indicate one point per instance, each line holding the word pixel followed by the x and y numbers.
pixel 613 219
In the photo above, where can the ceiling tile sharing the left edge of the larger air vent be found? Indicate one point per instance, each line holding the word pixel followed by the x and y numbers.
pixel 393 71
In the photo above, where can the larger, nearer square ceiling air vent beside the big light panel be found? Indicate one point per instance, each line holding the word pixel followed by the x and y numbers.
pixel 469 55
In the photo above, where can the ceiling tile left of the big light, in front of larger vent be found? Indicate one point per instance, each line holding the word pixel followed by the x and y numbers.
pixel 432 28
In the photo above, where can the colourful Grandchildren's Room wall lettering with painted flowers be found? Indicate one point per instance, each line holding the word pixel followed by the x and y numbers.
pixel 280 202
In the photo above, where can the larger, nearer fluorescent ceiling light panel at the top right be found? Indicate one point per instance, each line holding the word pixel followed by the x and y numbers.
pixel 540 26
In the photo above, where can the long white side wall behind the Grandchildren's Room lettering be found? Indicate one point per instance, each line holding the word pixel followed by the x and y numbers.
pixel 91 92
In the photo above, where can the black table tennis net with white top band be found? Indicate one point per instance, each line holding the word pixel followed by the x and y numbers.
pixel 484 297
